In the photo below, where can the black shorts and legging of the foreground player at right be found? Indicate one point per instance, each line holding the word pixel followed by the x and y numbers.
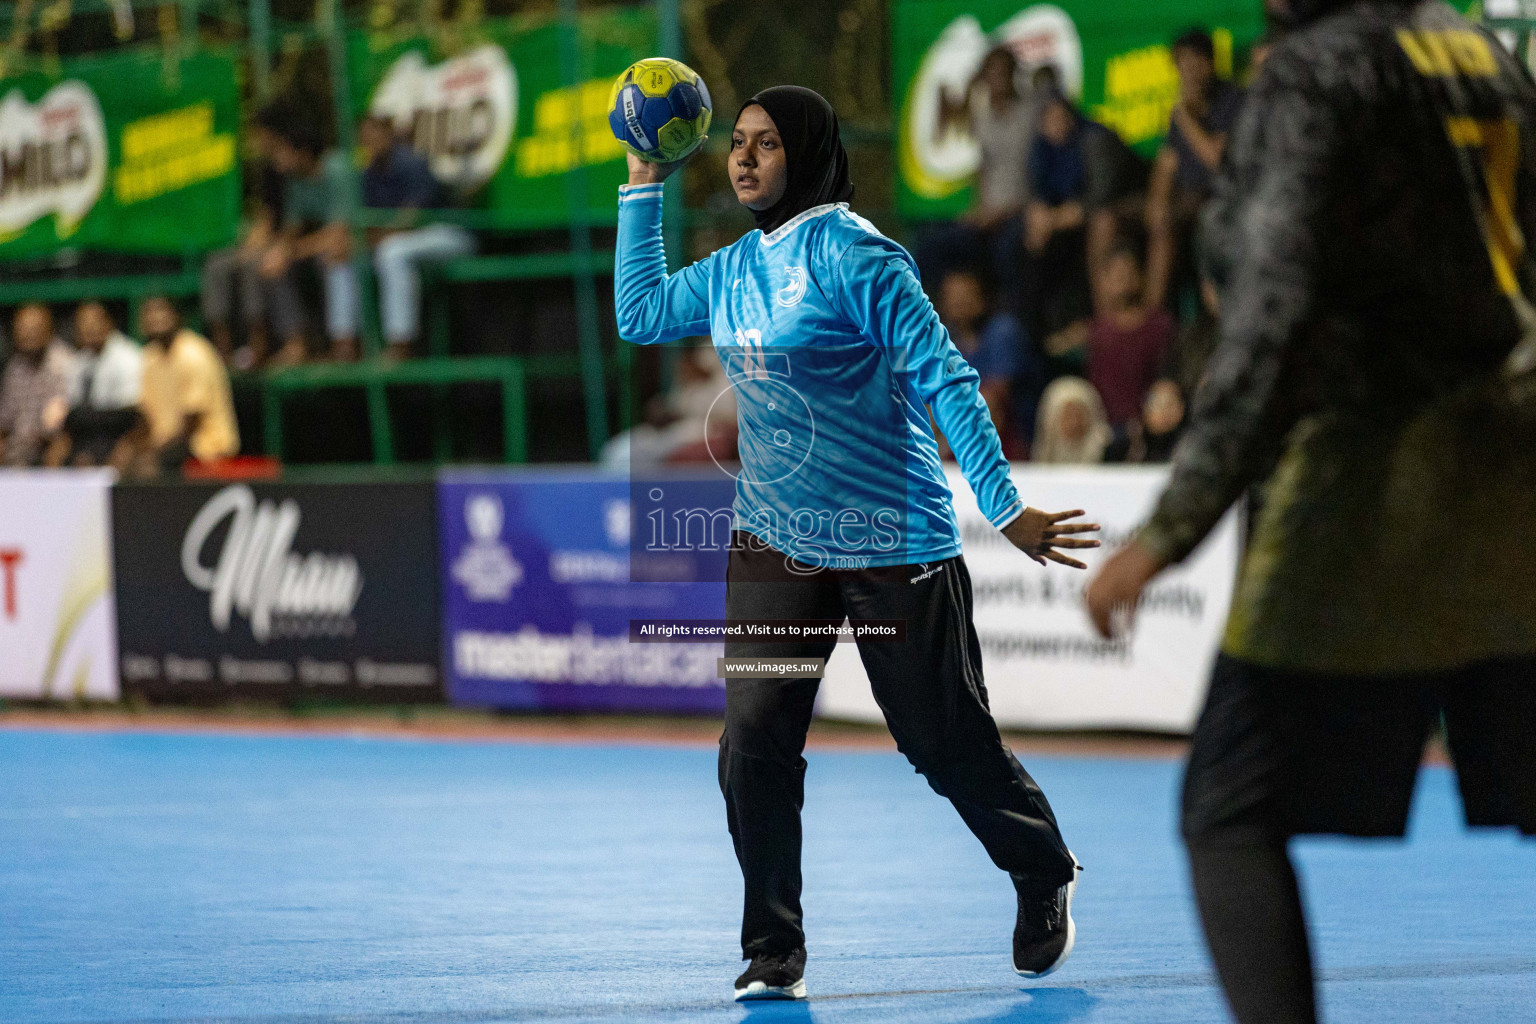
pixel 1280 755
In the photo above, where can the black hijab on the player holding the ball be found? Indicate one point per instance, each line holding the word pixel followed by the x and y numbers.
pixel 813 150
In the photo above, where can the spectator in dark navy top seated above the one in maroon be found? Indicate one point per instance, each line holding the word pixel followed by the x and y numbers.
pixel 1084 180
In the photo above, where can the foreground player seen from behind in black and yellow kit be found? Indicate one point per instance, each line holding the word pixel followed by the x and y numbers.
pixel 1369 239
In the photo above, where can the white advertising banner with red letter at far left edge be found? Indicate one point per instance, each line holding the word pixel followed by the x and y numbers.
pixel 58 616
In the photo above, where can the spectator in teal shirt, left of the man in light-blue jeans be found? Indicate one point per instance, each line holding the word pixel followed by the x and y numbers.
pixel 317 185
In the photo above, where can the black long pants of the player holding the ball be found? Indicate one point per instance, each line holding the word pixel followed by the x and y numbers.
pixel 930 689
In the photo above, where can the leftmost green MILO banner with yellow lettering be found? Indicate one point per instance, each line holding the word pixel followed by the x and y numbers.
pixel 127 153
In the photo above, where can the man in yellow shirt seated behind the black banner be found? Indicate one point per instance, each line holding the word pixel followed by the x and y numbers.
pixel 187 403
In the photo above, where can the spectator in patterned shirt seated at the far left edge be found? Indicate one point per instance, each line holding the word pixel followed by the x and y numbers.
pixel 35 392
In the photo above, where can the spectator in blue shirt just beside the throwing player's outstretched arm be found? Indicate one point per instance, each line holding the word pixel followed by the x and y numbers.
pixel 995 345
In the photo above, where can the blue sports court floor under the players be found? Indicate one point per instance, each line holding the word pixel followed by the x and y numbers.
pixel 274 880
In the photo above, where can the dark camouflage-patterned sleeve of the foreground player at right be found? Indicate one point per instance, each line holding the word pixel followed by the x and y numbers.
pixel 1265 228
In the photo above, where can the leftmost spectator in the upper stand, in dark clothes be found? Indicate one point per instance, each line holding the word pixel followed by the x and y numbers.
pixel 233 279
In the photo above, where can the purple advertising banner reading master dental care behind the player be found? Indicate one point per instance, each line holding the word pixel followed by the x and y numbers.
pixel 538 598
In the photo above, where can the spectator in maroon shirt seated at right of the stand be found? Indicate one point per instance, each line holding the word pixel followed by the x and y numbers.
pixel 1127 342
